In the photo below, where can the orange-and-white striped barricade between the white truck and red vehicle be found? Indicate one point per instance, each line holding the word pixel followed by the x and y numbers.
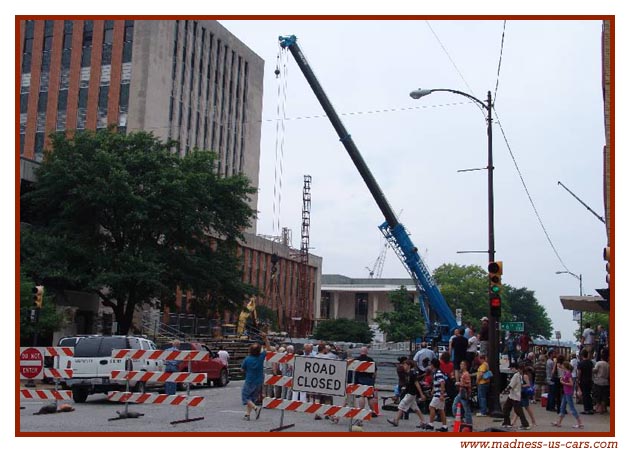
pixel 133 377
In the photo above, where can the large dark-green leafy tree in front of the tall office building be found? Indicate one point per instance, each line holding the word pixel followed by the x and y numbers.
pixel 125 218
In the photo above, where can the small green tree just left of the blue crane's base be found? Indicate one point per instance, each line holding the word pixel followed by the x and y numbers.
pixel 405 322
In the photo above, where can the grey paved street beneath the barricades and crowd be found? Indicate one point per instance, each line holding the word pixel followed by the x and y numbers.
pixel 223 412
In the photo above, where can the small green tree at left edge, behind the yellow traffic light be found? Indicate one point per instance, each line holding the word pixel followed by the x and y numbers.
pixel 49 320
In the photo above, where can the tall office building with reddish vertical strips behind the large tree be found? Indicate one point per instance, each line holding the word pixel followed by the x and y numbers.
pixel 187 80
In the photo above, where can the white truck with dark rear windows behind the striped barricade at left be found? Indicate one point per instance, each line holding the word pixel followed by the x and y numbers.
pixel 92 364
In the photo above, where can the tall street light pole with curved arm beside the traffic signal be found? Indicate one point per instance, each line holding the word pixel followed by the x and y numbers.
pixel 493 322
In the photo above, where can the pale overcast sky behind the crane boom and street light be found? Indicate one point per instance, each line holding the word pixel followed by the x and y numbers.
pixel 549 102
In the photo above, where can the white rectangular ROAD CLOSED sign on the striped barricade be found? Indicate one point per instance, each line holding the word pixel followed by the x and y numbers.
pixel 320 375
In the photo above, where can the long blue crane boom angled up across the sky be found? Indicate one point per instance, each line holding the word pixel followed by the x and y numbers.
pixel 392 229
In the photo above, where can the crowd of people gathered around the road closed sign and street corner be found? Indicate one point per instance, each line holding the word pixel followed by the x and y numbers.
pixel 460 376
